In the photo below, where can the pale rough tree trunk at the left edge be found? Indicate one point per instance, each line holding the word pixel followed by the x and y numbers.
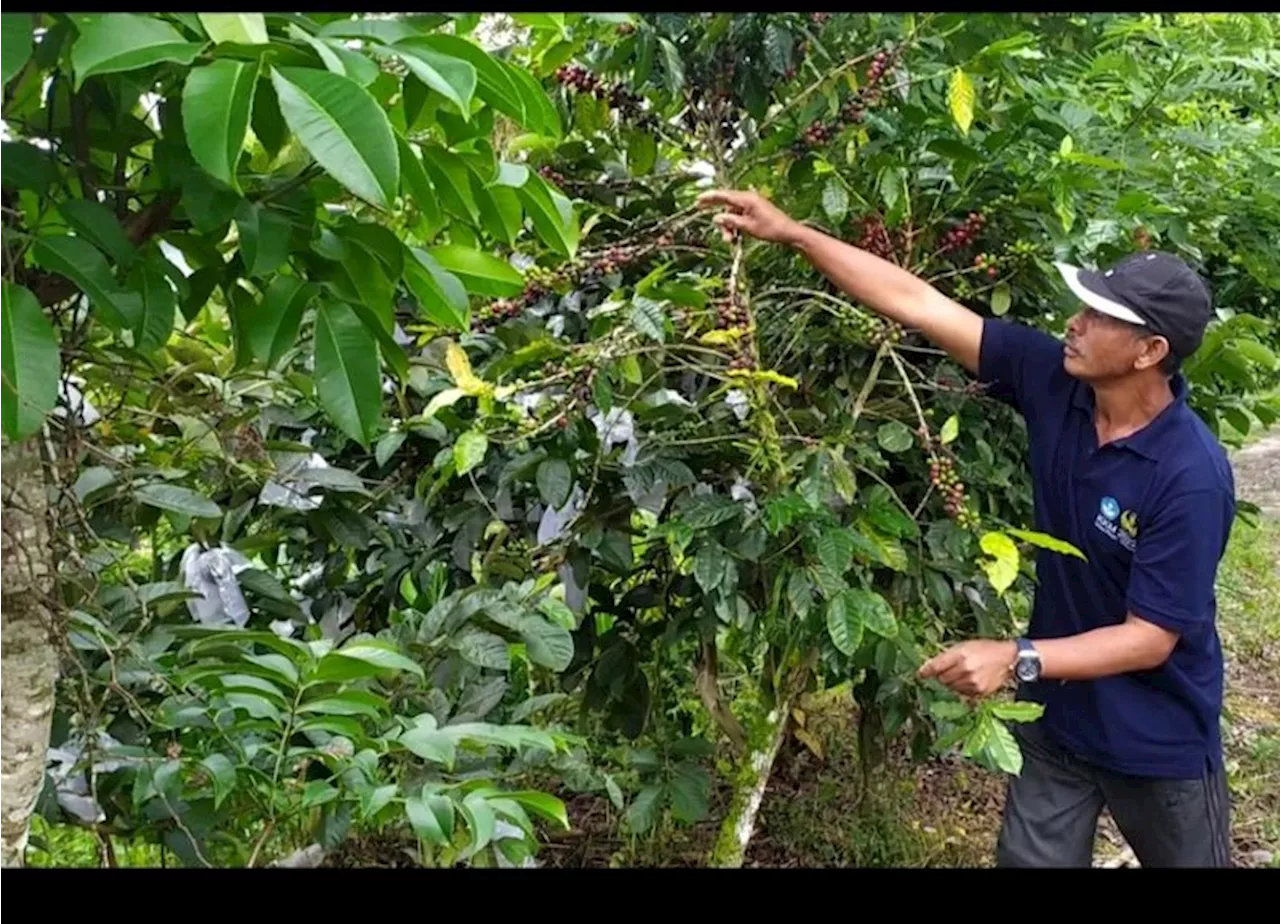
pixel 29 662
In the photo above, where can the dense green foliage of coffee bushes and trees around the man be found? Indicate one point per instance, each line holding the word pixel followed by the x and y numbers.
pixel 422 454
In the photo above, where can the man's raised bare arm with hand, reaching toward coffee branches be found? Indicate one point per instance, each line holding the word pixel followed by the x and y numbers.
pixel 876 283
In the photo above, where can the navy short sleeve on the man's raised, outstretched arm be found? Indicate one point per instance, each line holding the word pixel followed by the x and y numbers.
pixel 1022 365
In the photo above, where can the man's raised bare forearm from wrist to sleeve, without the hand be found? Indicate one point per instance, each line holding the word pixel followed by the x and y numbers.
pixel 895 294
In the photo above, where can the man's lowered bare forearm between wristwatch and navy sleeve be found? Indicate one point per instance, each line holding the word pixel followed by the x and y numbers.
pixel 1104 652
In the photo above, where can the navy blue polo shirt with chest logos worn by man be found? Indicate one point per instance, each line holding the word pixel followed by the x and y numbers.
pixel 1153 513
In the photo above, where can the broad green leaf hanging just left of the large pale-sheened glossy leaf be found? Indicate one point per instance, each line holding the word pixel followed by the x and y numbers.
pixel 217 103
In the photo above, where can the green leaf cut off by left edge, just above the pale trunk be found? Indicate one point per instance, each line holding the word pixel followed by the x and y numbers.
pixel 29 364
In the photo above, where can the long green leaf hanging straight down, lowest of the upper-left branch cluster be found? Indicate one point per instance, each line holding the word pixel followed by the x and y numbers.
pixel 346 372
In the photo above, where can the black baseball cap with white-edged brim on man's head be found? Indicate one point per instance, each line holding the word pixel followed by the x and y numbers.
pixel 1156 291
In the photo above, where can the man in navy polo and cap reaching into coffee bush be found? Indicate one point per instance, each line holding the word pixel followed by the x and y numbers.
pixel 1123 651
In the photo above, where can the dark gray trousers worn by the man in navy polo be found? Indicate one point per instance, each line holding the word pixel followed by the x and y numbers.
pixel 1052 812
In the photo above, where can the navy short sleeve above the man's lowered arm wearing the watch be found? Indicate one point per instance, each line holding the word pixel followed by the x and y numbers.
pixel 1176 561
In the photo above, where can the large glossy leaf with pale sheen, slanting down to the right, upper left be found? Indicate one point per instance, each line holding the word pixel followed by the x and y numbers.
pixel 344 129
